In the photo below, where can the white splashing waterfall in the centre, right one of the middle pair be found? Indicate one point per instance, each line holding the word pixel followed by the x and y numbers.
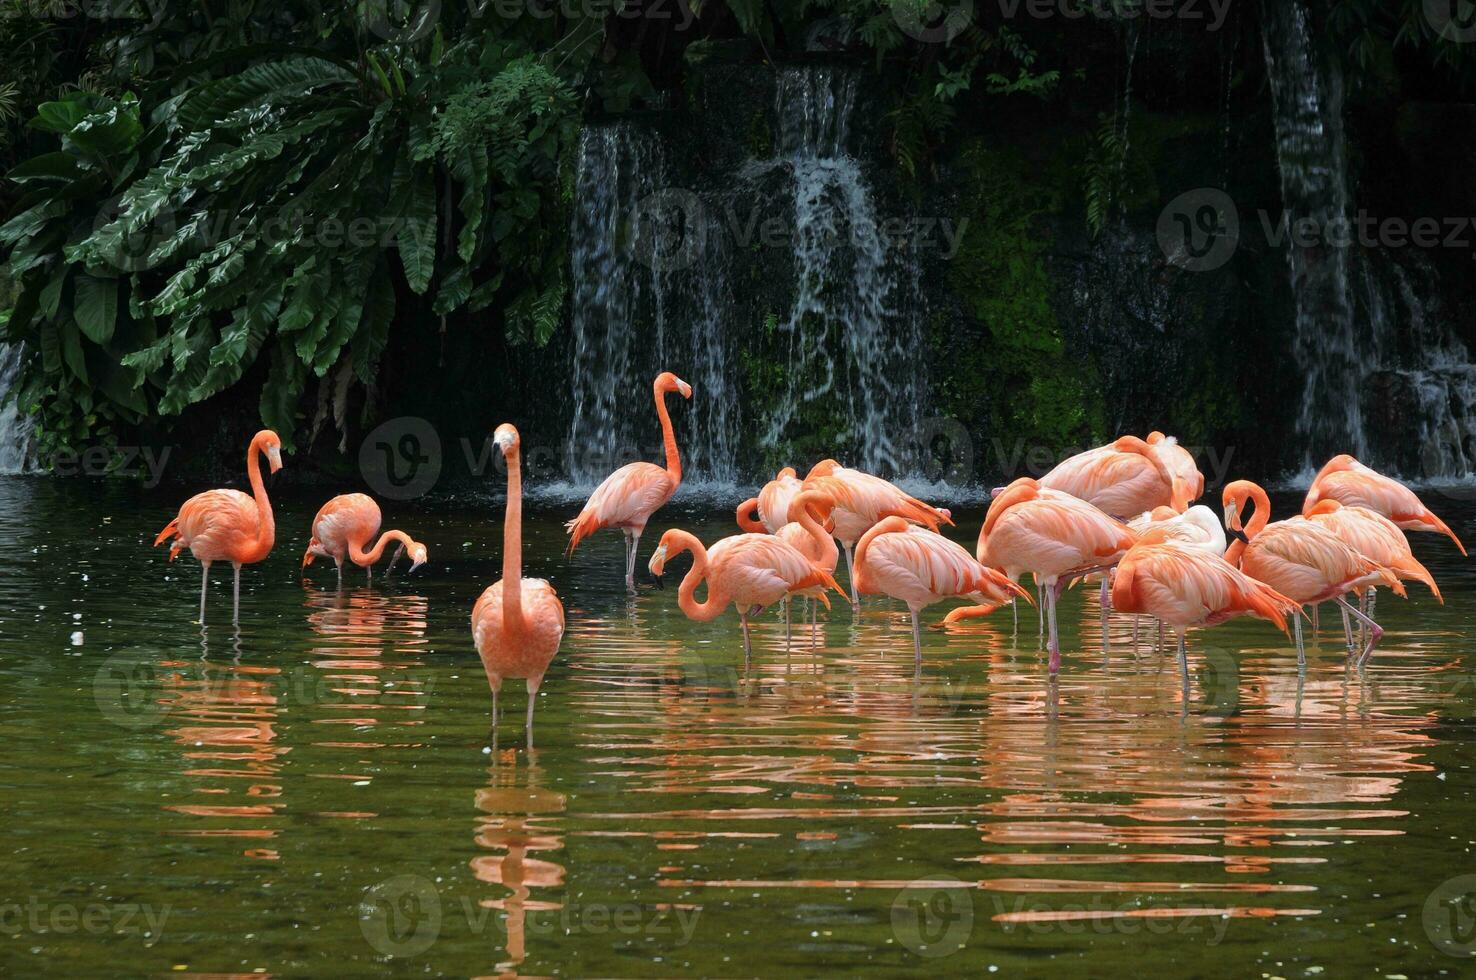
pixel 851 286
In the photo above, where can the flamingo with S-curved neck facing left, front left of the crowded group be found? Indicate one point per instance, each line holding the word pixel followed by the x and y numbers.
pixel 749 570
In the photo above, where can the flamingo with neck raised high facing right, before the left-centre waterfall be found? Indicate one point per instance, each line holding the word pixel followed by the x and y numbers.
pixel 630 497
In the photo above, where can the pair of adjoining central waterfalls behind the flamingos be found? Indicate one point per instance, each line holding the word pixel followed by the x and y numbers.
pixel 655 265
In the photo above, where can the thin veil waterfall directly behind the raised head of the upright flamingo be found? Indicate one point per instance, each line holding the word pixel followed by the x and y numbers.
pixel 641 306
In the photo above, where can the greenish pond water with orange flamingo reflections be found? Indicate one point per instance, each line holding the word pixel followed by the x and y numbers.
pixel 317 792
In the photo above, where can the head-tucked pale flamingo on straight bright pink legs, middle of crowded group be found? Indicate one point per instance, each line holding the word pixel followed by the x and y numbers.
pixel 1055 536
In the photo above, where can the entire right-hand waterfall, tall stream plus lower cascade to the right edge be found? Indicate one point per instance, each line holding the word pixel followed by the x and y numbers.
pixel 1368 342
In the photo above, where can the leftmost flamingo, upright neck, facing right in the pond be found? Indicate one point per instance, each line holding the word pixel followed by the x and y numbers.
pixel 228 525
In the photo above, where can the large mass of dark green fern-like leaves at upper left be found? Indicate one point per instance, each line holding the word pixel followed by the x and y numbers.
pixel 283 215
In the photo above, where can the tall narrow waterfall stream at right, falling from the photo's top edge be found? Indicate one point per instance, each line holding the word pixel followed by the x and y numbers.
pixel 1311 154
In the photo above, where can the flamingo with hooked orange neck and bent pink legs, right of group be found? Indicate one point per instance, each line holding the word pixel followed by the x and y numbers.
pixel 1301 560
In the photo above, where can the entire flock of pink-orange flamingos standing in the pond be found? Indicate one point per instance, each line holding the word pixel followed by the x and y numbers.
pixel 1120 514
